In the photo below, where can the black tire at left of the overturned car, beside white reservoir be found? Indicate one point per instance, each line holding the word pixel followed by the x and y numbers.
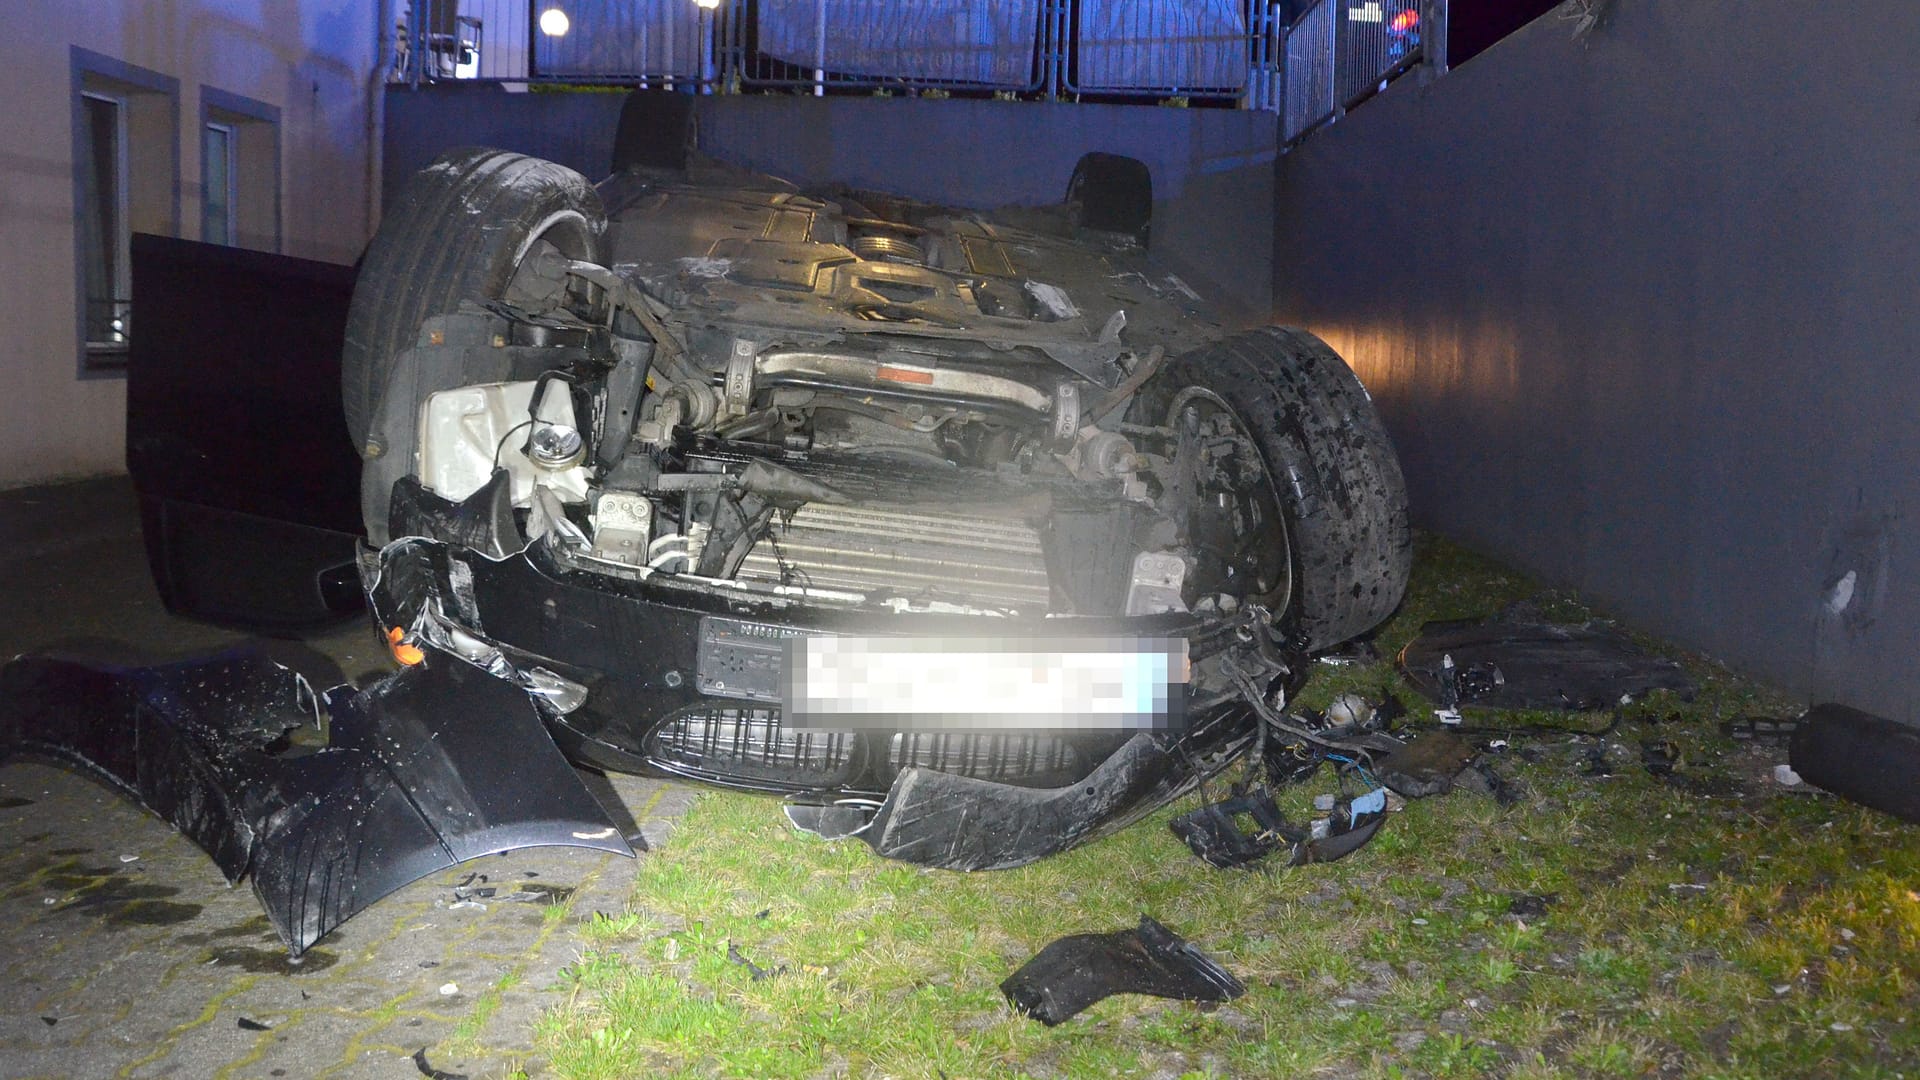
pixel 458 232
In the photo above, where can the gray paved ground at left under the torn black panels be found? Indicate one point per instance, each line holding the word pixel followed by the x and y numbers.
pixel 126 954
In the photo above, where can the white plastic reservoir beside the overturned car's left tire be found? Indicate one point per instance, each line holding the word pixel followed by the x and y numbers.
pixel 466 431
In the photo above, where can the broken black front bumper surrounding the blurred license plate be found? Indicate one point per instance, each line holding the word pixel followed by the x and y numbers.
pixel 948 798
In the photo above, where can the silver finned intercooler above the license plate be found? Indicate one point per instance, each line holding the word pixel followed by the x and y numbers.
pixel 905 552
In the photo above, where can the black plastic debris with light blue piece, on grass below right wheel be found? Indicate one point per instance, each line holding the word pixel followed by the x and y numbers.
pixel 1249 827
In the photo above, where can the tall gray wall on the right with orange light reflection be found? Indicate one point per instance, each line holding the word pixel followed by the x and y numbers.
pixel 1643 316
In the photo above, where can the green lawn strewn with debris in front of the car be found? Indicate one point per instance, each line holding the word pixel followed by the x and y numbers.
pixel 1706 925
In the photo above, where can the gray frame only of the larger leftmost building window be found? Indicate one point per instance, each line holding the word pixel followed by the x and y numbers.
pixel 85 66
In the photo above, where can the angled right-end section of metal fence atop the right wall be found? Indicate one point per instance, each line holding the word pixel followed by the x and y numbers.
pixel 1339 53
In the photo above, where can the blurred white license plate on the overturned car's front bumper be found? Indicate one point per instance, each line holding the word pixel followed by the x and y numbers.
pixel 984 685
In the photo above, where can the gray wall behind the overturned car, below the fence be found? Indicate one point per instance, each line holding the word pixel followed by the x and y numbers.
pixel 1212 168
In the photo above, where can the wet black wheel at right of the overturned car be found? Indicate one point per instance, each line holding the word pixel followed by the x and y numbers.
pixel 1318 529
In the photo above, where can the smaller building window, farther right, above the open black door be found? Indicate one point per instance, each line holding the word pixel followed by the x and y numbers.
pixel 239 172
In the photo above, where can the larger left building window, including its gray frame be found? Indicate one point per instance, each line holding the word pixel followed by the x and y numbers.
pixel 126 180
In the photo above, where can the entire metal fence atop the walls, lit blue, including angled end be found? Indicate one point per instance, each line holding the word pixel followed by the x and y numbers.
pixel 1211 51
